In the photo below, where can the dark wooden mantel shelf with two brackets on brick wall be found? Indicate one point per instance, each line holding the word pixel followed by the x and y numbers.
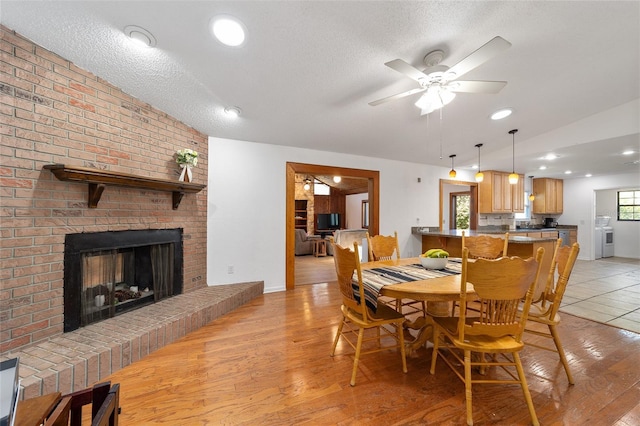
pixel 99 179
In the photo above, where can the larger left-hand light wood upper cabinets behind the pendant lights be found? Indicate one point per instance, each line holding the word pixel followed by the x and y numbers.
pixel 497 195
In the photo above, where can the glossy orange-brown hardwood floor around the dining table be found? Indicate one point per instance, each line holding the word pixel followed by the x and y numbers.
pixel 268 363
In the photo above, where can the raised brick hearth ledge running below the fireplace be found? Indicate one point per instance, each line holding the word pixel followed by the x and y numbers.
pixel 79 359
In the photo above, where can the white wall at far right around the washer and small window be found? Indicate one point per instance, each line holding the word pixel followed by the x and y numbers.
pixel 580 209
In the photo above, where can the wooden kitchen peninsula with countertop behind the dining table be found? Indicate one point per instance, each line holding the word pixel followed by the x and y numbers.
pixel 451 241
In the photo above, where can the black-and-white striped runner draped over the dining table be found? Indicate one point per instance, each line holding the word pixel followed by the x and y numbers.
pixel 374 279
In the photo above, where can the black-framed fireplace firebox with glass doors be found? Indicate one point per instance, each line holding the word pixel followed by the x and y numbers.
pixel 108 273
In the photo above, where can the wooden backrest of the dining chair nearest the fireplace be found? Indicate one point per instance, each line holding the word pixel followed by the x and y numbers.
pixel 347 262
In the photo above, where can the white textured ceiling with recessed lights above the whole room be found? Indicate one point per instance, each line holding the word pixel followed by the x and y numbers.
pixel 308 70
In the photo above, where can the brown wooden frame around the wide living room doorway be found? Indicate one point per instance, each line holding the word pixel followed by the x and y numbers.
pixel 373 176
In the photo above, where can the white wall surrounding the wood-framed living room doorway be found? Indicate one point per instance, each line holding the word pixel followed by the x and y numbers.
pixel 246 205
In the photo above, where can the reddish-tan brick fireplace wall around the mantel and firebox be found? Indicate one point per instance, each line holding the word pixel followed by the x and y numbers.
pixel 54 112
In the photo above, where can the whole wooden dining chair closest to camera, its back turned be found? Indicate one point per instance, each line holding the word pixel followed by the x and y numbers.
pixel 503 285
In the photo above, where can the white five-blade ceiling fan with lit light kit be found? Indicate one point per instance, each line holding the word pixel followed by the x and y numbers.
pixel 441 82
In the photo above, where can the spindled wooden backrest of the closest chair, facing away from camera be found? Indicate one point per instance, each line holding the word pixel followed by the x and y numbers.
pixel 501 286
